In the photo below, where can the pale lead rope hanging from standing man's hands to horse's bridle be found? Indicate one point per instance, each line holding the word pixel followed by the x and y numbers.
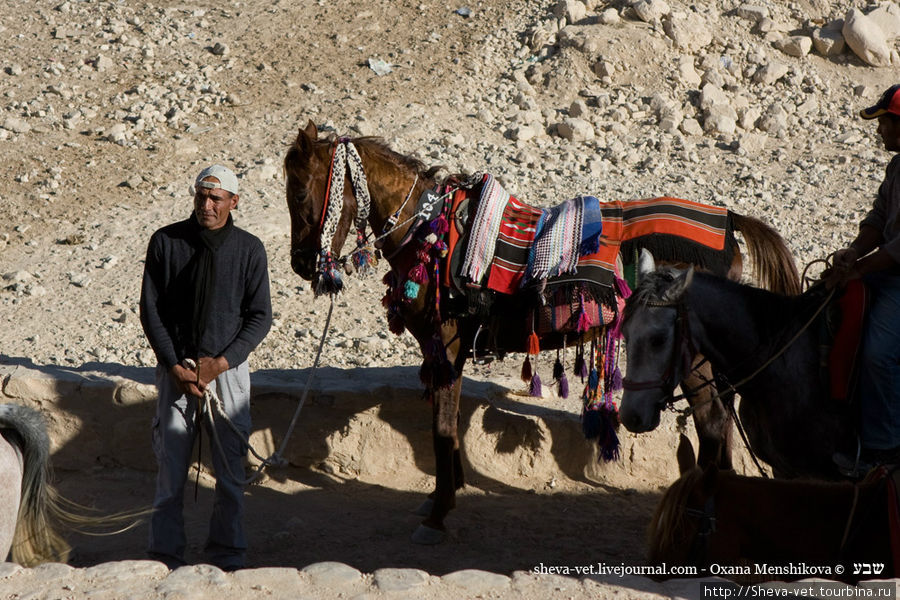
pixel 211 404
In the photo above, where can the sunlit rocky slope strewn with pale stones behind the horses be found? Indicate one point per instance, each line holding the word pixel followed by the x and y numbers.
pixel 108 109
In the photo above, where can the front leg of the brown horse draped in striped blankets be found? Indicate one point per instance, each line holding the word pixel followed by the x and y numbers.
pixel 449 475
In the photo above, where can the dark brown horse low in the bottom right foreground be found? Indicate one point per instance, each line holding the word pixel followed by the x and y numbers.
pixel 750 527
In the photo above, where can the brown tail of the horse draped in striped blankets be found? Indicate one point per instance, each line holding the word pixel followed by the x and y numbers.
pixel 772 260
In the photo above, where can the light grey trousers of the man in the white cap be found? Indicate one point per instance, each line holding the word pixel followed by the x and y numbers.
pixel 174 433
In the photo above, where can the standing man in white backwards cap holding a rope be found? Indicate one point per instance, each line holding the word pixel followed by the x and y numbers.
pixel 205 297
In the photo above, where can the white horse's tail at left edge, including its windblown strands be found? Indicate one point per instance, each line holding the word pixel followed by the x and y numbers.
pixel 42 510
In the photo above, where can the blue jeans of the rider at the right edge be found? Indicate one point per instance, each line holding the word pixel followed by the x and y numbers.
pixel 879 377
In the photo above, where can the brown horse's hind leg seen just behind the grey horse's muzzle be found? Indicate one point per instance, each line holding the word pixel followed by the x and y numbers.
pixel 712 418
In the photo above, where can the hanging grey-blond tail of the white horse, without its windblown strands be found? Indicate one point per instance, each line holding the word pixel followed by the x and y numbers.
pixel 36 539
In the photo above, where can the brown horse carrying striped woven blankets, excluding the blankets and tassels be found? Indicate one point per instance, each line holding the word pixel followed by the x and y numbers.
pixel 394 187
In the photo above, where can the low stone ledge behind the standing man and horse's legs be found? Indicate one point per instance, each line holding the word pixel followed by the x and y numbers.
pixel 362 422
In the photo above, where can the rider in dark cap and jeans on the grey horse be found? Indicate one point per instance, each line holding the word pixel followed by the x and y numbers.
pixel 875 255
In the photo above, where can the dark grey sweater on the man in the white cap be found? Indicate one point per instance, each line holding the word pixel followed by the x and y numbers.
pixel 241 311
